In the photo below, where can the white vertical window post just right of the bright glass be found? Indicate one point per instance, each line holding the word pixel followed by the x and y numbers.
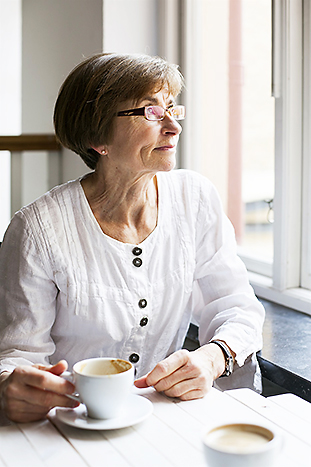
pixel 288 146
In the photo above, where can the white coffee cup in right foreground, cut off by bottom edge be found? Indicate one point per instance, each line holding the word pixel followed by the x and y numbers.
pixel 241 445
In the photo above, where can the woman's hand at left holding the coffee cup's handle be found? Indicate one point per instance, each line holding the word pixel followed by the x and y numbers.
pixel 29 392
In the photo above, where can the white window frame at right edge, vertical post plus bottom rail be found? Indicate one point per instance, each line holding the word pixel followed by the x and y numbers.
pixel 291 64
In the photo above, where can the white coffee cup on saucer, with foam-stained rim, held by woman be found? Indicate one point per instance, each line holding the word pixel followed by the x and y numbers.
pixel 103 385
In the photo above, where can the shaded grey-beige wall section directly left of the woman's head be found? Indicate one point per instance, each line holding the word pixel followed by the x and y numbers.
pixel 56 36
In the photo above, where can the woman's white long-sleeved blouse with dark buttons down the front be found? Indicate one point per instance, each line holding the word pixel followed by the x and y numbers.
pixel 69 291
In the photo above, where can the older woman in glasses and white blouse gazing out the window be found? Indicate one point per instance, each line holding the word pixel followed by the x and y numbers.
pixel 118 262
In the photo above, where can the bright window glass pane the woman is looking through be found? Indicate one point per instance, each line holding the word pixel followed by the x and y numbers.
pixel 234 121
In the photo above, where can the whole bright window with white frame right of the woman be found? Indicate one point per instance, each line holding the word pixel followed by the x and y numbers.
pixel 253 144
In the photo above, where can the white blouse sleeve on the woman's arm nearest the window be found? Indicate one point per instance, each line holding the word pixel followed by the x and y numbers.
pixel 226 306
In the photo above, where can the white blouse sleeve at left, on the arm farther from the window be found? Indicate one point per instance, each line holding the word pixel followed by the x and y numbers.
pixel 27 298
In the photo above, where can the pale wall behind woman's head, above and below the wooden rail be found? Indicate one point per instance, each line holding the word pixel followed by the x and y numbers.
pixel 47 39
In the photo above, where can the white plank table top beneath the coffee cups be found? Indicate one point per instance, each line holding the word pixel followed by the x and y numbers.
pixel 171 436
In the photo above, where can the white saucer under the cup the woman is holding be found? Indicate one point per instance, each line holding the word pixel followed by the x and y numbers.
pixel 136 410
